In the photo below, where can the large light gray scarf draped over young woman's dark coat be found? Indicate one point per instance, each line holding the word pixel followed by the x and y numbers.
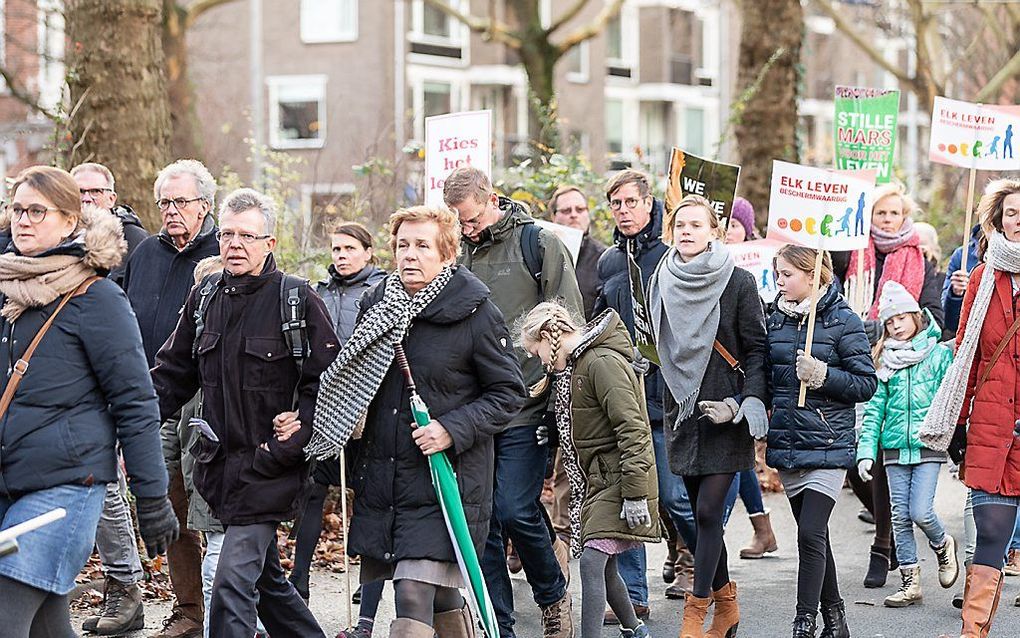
pixel 684 303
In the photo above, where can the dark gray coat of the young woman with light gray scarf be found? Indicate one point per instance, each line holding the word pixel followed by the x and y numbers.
pixel 697 447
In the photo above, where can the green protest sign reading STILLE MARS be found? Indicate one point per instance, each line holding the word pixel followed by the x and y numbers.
pixel 865 130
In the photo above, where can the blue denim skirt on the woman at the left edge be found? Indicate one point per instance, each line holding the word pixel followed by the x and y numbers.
pixel 52 557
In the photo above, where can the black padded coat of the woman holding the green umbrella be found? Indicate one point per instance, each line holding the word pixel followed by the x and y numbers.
pixel 466 370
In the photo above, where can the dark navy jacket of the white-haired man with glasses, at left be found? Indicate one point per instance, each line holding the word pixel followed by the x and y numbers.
pixel 159 279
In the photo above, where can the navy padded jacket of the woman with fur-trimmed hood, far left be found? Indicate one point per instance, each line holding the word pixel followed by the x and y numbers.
pixel 86 390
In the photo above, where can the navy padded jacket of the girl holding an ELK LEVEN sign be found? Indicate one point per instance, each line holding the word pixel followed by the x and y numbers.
pixel 822 434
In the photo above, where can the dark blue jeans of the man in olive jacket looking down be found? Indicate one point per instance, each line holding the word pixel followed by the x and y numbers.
pixel 518 514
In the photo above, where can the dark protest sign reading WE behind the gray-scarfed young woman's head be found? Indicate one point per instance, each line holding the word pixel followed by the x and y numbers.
pixel 691 175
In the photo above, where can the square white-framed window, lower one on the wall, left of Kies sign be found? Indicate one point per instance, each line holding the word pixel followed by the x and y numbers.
pixel 297 112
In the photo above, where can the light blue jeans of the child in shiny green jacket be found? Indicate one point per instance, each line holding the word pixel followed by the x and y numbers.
pixel 912 497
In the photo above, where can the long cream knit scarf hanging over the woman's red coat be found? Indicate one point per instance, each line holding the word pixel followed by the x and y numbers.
pixel 942 418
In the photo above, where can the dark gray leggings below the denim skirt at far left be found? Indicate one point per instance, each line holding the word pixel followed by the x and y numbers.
pixel 31 613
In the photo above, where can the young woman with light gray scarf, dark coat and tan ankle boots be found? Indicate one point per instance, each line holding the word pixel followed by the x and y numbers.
pixel 710 336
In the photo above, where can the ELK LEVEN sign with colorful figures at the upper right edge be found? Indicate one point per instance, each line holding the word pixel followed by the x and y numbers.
pixel 976 136
